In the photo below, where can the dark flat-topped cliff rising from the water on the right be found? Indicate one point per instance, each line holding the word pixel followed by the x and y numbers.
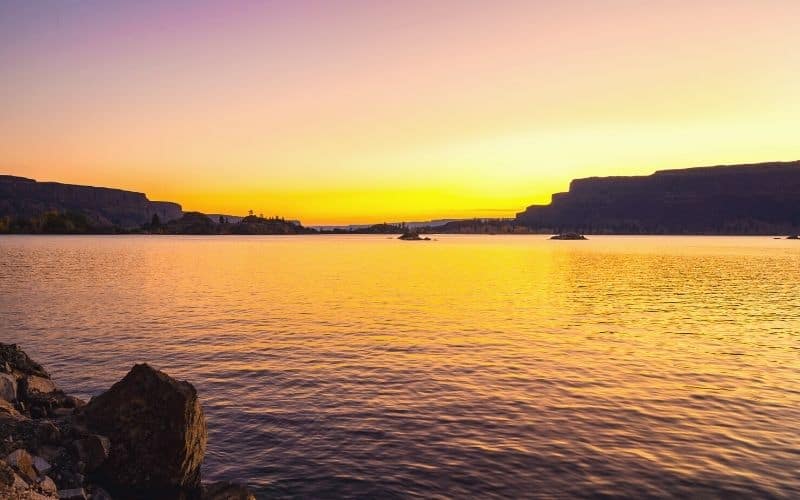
pixel 759 198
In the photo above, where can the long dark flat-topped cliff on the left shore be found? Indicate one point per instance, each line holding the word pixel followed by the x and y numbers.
pixel 103 207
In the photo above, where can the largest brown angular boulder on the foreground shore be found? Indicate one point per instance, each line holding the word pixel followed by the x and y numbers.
pixel 157 432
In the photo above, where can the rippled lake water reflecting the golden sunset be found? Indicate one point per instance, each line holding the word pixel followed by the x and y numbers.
pixel 470 366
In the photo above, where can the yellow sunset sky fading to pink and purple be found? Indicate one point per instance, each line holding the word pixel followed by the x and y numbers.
pixel 337 112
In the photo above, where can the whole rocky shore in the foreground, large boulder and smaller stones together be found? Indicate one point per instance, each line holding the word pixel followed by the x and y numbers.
pixel 144 438
